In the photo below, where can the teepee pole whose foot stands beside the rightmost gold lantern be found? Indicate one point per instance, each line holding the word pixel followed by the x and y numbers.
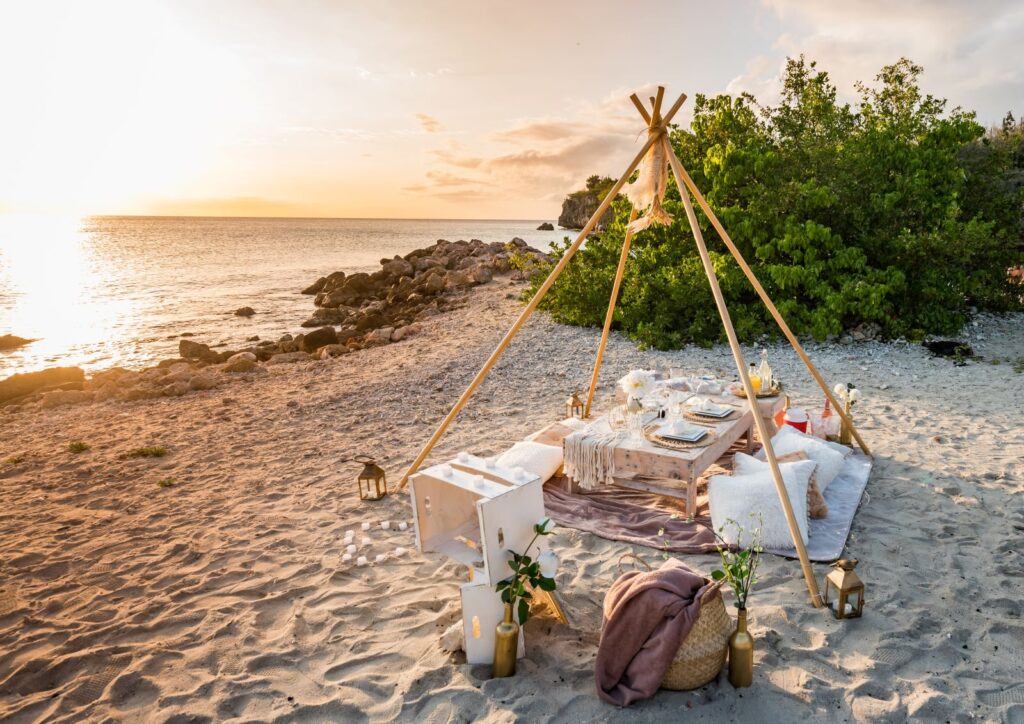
pixel 752 398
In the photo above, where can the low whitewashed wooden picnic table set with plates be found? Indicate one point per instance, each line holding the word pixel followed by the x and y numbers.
pixel 644 466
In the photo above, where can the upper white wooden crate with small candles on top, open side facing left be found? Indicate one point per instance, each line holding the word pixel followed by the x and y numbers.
pixel 475 515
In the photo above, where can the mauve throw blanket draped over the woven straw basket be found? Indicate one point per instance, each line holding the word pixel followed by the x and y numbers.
pixel 648 616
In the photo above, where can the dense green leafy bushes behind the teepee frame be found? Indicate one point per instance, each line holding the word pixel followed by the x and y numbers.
pixel 895 211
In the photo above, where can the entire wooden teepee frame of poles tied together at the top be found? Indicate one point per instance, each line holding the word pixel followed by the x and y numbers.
pixel 658 127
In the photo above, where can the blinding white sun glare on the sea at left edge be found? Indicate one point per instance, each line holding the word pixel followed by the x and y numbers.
pixel 53 290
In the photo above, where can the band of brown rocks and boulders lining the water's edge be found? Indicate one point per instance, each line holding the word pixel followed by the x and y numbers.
pixel 354 312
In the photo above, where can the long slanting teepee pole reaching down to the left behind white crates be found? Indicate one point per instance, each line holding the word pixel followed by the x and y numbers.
pixel 652 140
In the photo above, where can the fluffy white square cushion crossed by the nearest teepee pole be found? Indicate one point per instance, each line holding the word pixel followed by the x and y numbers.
pixel 741 498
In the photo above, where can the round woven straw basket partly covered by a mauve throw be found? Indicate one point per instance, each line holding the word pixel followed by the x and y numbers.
pixel 703 655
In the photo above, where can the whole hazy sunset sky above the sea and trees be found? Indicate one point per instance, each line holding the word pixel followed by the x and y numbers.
pixel 446 109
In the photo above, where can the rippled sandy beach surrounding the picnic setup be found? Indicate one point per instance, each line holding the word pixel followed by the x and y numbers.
pixel 225 597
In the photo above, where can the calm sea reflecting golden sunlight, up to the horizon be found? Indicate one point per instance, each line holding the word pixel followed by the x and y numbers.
pixel 101 292
